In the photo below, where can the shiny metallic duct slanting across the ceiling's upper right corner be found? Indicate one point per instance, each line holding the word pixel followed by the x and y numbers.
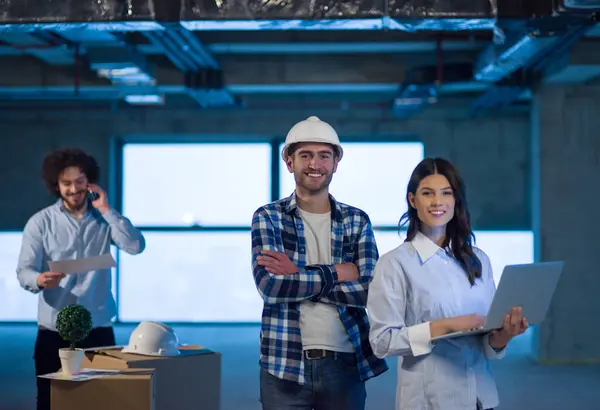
pixel 536 50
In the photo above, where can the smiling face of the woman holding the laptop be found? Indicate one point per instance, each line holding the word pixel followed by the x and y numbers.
pixel 434 201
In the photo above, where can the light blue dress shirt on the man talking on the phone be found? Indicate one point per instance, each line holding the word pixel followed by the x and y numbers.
pixel 54 234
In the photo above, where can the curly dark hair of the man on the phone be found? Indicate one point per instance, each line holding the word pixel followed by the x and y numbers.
pixel 57 161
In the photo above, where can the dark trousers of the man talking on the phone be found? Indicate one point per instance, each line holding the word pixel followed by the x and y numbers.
pixel 47 361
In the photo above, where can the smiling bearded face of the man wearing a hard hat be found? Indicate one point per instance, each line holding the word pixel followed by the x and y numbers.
pixel 313 166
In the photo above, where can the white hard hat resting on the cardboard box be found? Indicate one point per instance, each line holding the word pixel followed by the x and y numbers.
pixel 153 339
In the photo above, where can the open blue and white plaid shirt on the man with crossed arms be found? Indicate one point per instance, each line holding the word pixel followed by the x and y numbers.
pixel 278 227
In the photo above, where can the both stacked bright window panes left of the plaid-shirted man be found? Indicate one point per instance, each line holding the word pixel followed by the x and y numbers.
pixel 204 274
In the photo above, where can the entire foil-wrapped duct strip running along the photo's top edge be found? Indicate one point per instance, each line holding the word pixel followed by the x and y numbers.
pixel 143 15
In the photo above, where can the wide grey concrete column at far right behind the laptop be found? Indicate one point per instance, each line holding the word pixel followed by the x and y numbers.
pixel 565 159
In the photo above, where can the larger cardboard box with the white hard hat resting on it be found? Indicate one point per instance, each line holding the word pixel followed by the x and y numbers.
pixel 190 381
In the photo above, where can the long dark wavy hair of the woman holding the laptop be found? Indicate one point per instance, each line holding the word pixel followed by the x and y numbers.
pixel 458 231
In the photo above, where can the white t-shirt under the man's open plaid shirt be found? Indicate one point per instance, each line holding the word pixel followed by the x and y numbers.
pixel 320 324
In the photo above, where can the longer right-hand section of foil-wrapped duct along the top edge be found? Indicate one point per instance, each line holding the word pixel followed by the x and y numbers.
pixel 403 15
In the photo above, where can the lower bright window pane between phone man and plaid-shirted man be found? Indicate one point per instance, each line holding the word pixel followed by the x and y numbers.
pixel 190 277
